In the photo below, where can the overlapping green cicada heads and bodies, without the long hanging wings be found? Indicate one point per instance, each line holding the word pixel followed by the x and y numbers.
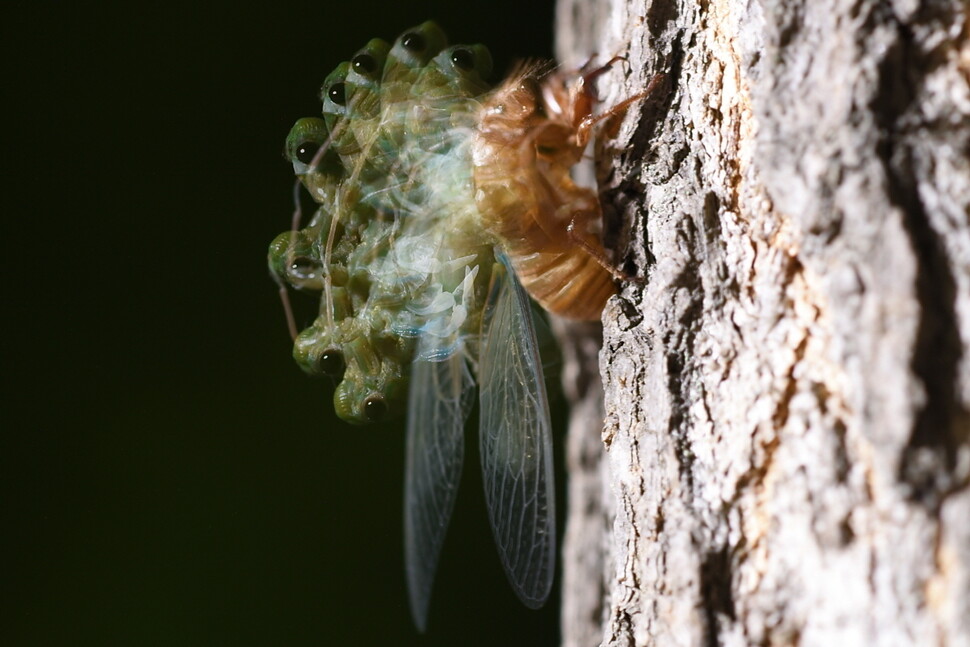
pixel 393 246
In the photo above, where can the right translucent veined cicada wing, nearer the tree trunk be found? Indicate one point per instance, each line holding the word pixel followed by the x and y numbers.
pixel 516 440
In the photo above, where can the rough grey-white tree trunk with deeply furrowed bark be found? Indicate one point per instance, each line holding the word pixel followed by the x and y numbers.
pixel 787 439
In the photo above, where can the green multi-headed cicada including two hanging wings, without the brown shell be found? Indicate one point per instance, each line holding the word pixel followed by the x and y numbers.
pixel 418 303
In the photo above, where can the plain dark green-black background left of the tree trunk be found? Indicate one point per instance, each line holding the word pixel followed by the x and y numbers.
pixel 170 476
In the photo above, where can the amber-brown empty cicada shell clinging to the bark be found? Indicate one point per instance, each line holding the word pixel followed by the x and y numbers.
pixel 523 151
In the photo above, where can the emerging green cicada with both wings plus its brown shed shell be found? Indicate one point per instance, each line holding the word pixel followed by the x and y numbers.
pixel 438 199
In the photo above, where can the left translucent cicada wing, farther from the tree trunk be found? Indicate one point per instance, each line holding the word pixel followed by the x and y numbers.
pixel 439 401
